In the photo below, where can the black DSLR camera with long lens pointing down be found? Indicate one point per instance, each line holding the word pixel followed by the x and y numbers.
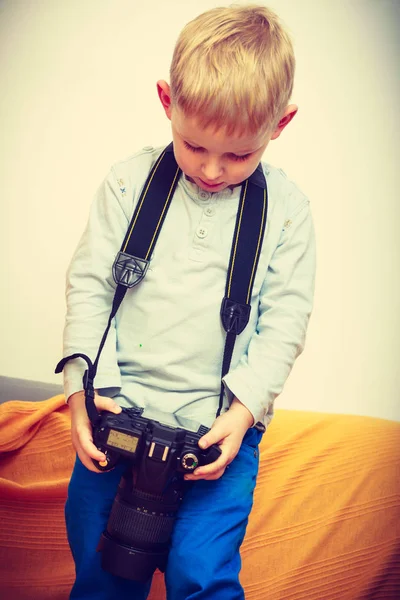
pixel 162 448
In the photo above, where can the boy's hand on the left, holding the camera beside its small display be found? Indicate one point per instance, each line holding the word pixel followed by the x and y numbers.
pixel 81 429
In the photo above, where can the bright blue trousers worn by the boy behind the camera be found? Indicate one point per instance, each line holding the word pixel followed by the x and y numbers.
pixel 204 560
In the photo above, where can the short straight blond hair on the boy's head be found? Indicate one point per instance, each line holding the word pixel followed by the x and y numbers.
pixel 233 68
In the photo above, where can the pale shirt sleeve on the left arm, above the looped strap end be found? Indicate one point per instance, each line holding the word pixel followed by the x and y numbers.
pixel 90 290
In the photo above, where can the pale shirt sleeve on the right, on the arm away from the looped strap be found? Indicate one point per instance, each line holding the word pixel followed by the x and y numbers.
pixel 285 305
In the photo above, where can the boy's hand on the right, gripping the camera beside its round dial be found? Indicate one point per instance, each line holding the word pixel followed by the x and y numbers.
pixel 227 431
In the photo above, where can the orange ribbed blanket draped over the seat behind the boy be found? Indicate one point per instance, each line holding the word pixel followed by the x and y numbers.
pixel 325 523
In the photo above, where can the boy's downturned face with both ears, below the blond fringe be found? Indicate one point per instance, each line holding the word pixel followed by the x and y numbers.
pixel 212 159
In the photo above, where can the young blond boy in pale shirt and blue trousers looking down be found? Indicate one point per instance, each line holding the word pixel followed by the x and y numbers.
pixel 231 81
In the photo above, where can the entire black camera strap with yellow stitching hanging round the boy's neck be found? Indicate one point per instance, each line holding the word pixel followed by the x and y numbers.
pixel 132 261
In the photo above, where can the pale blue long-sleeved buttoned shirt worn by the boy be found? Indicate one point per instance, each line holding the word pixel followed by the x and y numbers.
pixel 165 347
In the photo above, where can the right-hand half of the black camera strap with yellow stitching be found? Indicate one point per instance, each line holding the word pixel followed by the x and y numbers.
pixel 245 253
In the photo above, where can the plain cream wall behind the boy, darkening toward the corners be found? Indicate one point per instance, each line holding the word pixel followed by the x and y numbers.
pixel 78 92
